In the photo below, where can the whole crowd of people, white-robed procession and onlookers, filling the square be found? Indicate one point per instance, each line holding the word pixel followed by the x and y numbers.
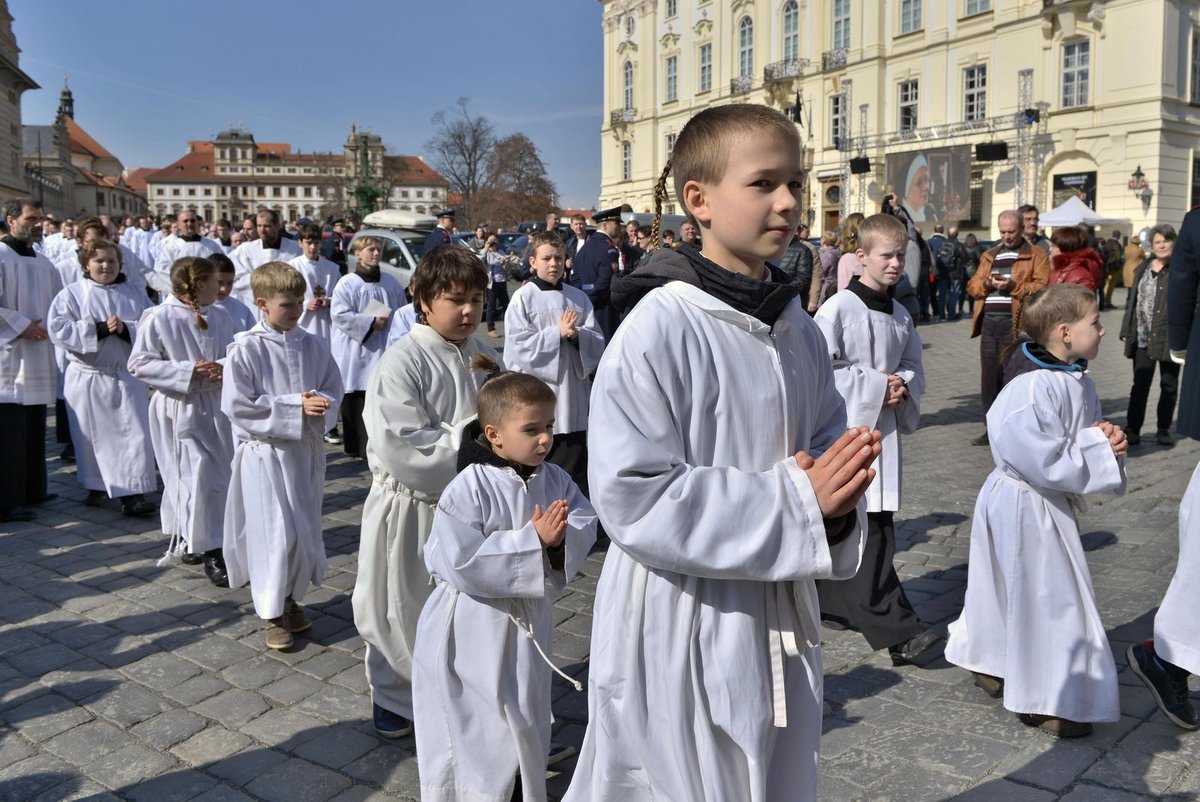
pixel 729 411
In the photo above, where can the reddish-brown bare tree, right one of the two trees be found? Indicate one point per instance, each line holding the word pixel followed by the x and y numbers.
pixel 517 187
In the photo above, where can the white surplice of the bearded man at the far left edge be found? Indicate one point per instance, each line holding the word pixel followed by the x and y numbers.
pixel 28 370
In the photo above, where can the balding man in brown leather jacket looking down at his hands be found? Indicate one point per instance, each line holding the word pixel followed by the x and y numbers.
pixel 1007 274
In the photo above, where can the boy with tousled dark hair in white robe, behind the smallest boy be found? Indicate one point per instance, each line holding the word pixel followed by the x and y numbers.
pixel 418 400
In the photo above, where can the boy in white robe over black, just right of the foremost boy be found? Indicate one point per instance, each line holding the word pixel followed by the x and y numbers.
pixel 877 364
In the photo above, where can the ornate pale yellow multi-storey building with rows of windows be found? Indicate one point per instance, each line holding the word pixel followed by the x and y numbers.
pixel 1082 95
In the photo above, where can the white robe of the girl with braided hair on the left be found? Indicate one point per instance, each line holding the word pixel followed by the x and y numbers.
pixel 193 439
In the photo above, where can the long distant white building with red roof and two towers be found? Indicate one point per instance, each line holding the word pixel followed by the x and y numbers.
pixel 233 176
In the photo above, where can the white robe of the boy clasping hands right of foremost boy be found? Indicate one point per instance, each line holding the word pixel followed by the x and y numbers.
pixel 866 349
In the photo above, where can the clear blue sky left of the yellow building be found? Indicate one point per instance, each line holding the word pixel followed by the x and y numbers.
pixel 149 75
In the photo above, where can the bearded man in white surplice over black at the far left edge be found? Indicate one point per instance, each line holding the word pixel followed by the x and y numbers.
pixel 28 373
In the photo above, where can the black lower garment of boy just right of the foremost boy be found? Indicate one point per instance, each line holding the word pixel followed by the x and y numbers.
pixel 873 601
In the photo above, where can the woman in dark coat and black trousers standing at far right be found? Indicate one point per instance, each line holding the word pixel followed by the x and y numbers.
pixel 1144 333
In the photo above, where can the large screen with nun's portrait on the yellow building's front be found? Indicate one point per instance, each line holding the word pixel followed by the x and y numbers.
pixel 934 185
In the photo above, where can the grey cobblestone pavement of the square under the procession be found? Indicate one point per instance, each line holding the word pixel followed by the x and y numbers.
pixel 121 680
